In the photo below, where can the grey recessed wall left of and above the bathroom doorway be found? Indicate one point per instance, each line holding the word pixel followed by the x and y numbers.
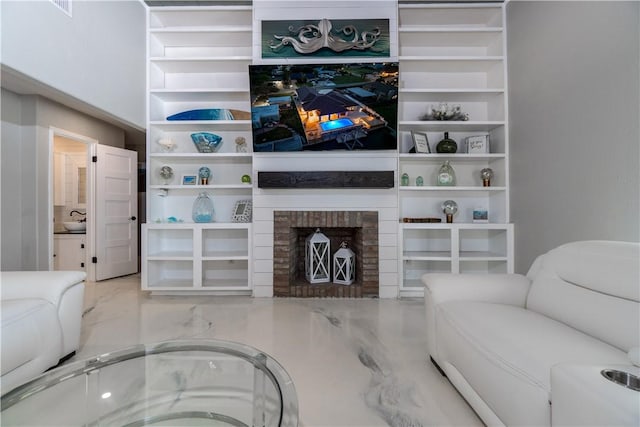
pixel 26 173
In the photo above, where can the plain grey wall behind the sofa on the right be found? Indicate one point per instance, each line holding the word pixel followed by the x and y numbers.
pixel 574 118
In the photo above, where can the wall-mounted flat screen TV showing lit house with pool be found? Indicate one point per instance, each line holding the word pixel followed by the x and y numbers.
pixel 298 107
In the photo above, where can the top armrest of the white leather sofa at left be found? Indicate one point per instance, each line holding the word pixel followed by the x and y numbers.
pixel 48 285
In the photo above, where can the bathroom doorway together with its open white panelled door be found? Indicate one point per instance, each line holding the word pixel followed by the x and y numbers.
pixel 93 208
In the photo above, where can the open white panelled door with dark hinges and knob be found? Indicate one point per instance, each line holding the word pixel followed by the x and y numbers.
pixel 116 212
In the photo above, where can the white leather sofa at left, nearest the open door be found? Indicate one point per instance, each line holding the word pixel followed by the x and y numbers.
pixel 41 316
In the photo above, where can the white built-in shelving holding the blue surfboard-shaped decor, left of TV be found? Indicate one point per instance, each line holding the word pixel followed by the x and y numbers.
pixel 197 58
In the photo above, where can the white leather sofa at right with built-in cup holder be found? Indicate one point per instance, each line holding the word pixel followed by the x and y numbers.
pixel 529 350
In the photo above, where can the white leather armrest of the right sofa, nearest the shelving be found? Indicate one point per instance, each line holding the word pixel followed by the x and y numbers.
pixel 509 289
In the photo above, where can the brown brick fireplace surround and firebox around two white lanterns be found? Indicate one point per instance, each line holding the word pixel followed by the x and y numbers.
pixel 358 228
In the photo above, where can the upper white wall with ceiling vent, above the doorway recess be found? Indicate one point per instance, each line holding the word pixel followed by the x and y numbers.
pixel 96 56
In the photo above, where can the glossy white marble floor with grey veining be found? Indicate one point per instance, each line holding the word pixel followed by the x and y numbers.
pixel 354 362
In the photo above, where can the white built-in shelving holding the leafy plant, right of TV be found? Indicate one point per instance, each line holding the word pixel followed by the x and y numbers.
pixel 454 54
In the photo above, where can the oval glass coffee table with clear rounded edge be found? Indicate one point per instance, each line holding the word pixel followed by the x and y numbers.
pixel 174 383
